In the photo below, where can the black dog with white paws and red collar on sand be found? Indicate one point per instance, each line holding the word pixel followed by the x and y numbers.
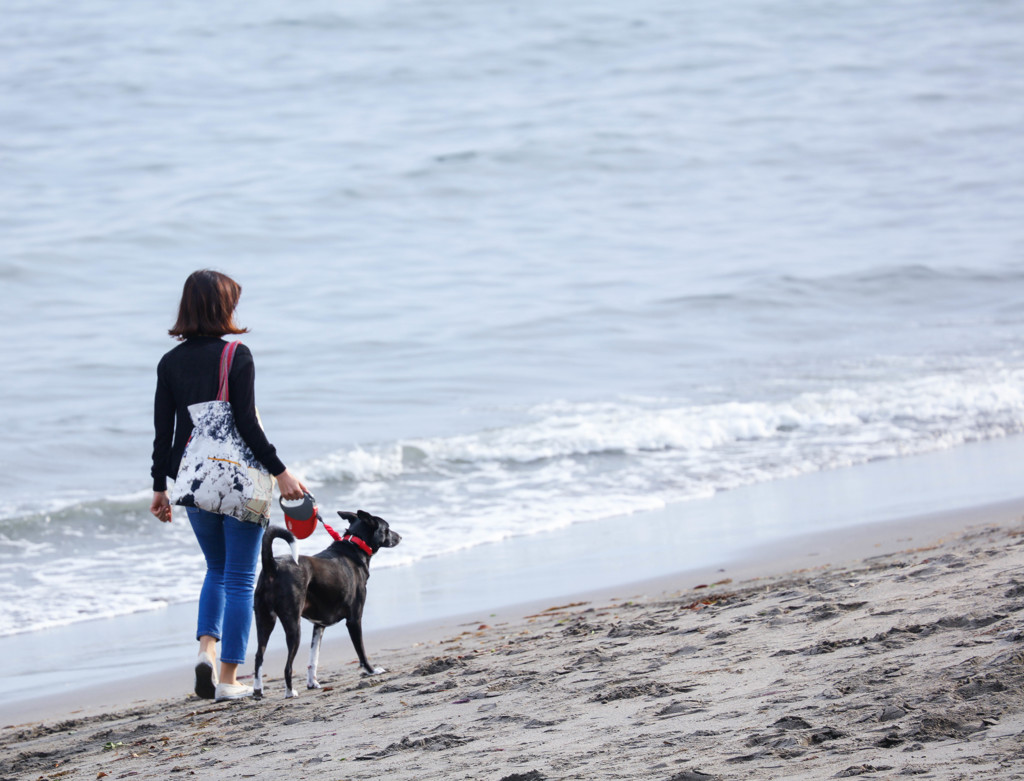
pixel 325 589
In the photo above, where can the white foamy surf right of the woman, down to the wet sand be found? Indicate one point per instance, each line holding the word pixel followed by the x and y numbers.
pixel 573 463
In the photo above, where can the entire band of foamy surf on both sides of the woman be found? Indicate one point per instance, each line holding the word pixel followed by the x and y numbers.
pixel 565 463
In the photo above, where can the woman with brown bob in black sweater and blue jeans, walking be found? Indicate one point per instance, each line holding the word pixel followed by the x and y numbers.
pixel 190 375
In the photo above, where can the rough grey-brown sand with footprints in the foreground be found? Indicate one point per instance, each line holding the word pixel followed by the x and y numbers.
pixel 907 664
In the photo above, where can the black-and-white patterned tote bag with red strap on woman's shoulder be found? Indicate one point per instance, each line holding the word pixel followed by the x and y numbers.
pixel 219 472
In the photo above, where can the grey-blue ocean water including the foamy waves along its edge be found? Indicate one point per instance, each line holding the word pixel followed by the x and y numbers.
pixel 508 269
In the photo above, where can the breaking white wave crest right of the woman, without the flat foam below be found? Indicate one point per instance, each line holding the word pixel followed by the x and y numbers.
pixel 817 429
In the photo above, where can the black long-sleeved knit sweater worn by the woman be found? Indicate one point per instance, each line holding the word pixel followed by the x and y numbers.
pixel 189 375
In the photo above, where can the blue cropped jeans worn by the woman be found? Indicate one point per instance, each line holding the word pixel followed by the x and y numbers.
pixel 226 604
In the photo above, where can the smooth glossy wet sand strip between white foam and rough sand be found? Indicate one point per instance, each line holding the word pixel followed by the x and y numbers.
pixel 752 531
